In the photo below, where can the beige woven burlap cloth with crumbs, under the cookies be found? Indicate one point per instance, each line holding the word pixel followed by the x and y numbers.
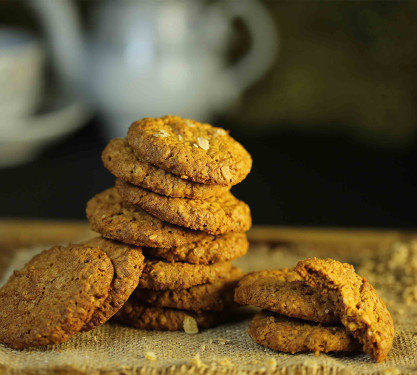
pixel 113 349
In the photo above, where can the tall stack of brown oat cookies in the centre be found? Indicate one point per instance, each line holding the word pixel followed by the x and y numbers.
pixel 172 199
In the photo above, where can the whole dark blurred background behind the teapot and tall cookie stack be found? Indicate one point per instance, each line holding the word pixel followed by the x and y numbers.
pixel 331 128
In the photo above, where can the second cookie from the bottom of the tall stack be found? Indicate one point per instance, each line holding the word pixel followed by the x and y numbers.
pixel 215 296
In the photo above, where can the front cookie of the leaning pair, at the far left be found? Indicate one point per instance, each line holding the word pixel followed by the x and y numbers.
pixel 53 296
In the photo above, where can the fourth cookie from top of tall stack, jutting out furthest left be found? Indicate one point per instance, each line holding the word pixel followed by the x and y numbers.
pixel 113 218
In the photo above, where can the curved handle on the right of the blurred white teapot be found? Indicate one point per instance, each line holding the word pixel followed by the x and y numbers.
pixel 264 46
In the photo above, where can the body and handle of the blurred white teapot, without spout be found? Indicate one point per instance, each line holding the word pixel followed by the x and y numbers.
pixel 150 58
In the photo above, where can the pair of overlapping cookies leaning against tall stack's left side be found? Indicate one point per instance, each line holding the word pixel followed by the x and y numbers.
pixel 65 290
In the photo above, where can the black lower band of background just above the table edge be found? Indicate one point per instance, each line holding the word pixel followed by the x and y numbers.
pixel 306 179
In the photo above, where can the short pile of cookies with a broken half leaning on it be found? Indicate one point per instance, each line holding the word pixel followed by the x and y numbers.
pixel 321 306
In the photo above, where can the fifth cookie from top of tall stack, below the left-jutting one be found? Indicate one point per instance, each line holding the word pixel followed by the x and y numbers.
pixel 212 249
